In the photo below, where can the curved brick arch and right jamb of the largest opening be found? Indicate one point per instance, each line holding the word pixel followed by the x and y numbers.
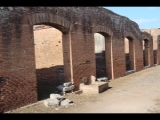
pixel 62 25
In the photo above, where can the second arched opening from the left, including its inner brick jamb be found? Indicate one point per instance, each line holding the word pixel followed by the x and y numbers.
pixel 103 55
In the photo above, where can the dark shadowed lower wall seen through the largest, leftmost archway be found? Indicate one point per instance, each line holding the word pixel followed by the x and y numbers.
pixel 48 79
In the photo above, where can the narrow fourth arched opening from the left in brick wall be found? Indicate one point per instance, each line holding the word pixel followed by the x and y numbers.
pixel 146 53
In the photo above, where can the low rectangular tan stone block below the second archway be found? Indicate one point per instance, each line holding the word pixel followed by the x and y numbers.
pixel 94 88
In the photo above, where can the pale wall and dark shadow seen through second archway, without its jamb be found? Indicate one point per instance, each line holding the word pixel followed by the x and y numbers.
pixel 100 55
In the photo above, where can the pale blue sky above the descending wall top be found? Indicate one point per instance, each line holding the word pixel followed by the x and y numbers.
pixel 145 17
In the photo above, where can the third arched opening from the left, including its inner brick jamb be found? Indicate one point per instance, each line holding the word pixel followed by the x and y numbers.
pixel 129 54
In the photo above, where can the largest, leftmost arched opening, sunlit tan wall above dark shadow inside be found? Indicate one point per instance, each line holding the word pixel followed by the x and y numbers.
pixel 49 59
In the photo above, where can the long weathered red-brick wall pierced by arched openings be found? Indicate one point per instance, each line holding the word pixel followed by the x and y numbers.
pixel 17 59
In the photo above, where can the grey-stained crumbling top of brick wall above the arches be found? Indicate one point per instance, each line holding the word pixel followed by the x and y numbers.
pixel 87 16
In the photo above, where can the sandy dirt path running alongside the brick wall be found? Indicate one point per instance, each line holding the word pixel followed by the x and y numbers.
pixel 135 93
